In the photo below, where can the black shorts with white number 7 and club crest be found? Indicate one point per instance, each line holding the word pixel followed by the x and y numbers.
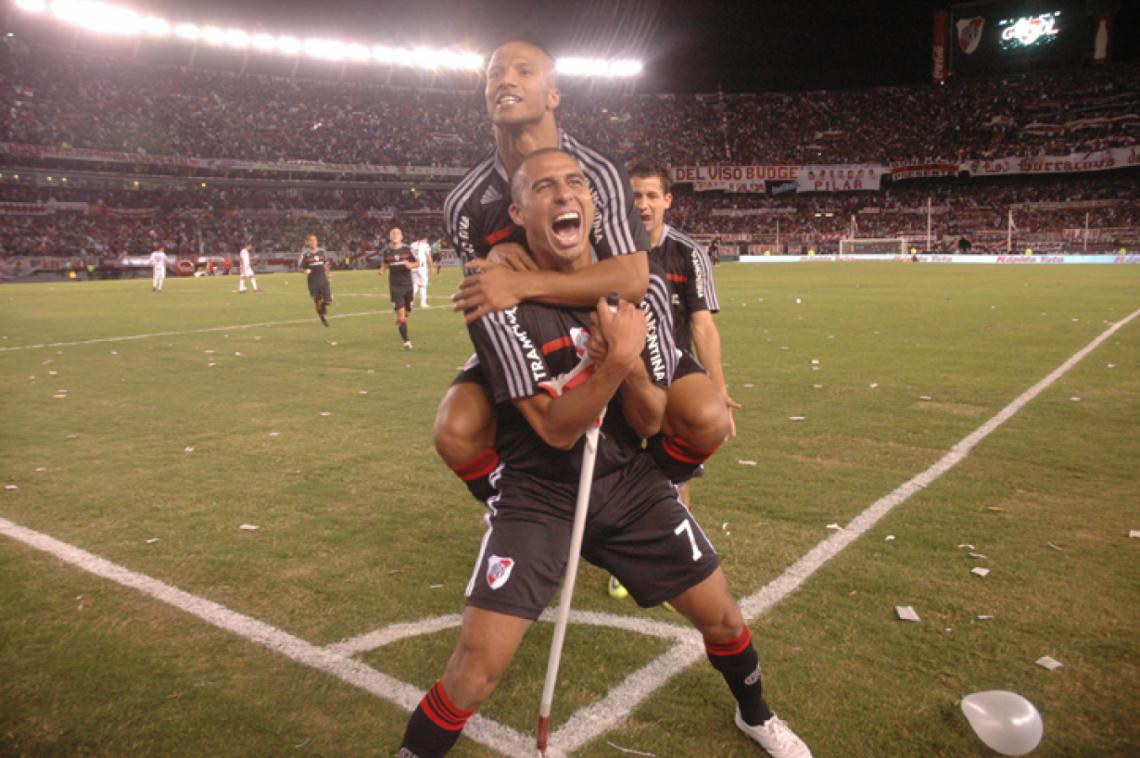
pixel 637 529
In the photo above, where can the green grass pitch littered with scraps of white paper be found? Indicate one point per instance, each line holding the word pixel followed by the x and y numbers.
pixel 322 438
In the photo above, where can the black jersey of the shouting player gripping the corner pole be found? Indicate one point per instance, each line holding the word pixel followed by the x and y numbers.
pixel 526 347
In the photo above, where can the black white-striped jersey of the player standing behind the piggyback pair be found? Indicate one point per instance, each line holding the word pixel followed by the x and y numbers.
pixel 690 279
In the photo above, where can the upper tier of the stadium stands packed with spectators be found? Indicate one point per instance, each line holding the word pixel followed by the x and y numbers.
pixel 58 99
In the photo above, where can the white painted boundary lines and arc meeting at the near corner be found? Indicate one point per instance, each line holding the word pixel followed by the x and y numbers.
pixel 602 716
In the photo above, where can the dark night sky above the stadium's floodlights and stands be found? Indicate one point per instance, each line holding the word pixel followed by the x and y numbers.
pixel 688 46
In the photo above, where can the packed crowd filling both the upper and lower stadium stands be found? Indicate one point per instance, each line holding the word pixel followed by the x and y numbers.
pixel 71 100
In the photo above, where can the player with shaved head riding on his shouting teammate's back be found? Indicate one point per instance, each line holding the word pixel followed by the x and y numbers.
pixel 522 95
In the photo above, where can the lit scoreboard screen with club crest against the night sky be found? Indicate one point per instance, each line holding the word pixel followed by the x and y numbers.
pixel 1007 35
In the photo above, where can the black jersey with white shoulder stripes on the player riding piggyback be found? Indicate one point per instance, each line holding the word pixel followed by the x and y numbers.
pixel 477 218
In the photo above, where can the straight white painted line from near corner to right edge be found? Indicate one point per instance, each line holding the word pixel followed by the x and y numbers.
pixel 606 714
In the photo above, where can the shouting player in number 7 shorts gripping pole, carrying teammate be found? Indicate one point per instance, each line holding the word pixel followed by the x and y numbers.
pixel 637 528
